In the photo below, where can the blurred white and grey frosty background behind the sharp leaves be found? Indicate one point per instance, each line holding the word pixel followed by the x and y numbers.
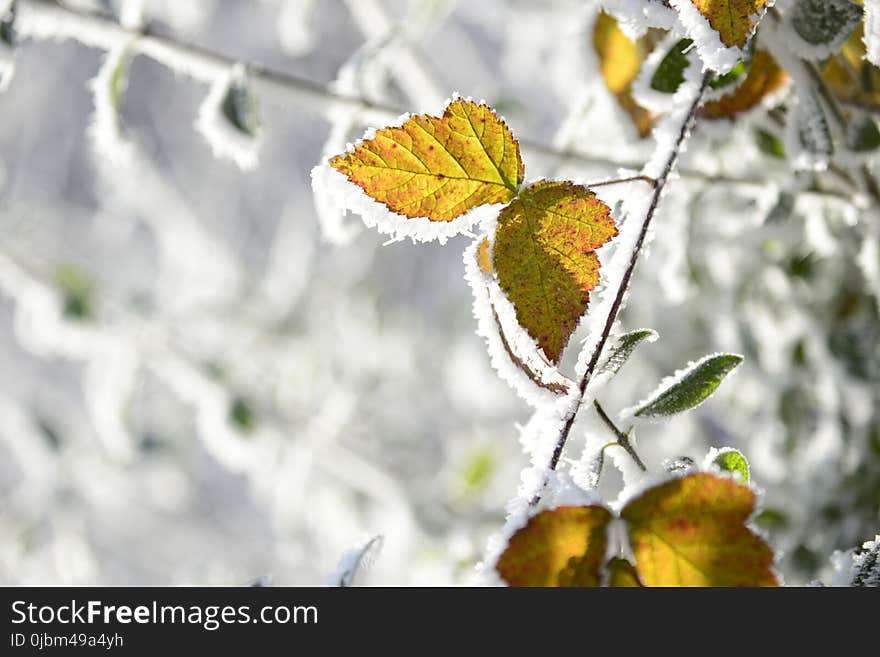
pixel 204 379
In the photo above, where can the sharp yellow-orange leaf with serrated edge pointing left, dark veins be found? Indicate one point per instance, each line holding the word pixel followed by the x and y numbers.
pixel 438 167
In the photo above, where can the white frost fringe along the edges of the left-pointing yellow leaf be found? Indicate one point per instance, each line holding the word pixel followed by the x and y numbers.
pixel 336 194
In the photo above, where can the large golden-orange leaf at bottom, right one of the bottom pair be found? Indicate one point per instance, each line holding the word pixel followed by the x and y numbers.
pixel 691 532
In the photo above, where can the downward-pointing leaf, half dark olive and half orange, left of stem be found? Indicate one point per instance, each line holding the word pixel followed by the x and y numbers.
pixel 545 260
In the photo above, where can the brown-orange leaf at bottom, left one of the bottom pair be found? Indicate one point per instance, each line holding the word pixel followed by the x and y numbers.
pixel 562 547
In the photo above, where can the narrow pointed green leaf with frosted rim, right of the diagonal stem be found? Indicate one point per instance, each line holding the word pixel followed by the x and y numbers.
pixel 688 388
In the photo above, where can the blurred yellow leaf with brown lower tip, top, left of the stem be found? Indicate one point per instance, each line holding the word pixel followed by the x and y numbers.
pixel 620 59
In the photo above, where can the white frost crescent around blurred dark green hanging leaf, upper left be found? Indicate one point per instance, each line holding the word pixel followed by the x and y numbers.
pixel 226 140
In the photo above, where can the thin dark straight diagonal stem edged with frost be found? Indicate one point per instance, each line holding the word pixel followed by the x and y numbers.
pixel 616 306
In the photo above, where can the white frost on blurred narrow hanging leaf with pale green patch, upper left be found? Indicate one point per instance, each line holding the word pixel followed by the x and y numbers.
pixel 106 129
